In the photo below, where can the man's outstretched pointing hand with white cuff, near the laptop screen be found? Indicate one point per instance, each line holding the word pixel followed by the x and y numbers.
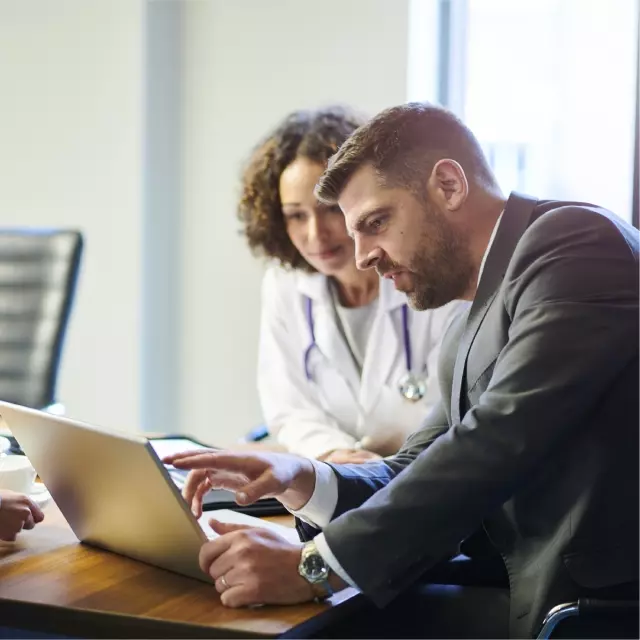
pixel 250 475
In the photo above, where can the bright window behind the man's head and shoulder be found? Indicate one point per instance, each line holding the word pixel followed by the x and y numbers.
pixel 549 88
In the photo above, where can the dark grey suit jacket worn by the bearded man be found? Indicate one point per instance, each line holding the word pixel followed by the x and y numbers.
pixel 536 439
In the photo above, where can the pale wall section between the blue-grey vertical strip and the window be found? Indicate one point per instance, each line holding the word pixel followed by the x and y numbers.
pixel 246 64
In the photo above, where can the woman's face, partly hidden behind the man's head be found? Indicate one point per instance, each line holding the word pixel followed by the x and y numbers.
pixel 317 231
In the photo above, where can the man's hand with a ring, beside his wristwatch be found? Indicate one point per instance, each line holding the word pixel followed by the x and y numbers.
pixel 253 566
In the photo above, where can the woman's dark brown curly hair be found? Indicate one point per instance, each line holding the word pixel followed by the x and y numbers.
pixel 315 135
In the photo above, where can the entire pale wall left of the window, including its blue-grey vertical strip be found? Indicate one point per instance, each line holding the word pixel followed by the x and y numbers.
pixel 96 97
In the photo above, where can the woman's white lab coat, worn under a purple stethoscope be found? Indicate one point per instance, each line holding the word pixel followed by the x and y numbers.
pixel 338 408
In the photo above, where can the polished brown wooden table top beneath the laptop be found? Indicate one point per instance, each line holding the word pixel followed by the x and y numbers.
pixel 51 582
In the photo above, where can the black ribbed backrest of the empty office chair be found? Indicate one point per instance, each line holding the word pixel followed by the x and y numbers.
pixel 38 274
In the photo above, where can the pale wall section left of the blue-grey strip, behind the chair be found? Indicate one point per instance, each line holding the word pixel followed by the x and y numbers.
pixel 70 155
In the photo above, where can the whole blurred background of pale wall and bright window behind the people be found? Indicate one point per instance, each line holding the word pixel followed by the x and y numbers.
pixel 130 121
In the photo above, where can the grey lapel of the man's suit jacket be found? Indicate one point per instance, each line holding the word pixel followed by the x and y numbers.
pixel 514 222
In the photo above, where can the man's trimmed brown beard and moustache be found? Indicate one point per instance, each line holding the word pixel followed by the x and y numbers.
pixel 440 269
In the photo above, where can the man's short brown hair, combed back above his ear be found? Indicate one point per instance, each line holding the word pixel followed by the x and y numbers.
pixel 403 144
